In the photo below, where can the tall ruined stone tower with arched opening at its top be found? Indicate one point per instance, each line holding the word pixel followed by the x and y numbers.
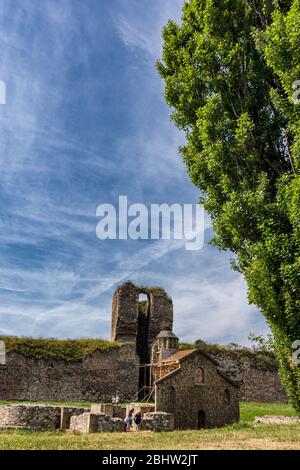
pixel 140 320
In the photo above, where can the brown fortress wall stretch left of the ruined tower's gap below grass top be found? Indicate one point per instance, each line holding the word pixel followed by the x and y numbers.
pixel 96 378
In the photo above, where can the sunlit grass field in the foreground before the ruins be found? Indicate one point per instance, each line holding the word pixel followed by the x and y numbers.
pixel 244 435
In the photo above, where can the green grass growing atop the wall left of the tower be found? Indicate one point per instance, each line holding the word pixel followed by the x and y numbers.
pixel 67 350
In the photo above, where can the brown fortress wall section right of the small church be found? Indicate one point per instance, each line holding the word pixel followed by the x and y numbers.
pixel 257 374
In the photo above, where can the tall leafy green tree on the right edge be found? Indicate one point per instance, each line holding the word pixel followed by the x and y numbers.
pixel 230 71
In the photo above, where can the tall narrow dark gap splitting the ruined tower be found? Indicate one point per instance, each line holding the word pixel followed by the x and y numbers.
pixel 142 343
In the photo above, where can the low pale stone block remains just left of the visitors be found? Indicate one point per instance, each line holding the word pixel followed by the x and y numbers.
pixel 95 422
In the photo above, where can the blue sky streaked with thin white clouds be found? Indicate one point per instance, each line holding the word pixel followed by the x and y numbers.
pixel 84 122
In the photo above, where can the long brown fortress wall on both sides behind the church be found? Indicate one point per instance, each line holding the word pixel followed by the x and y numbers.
pixel 102 374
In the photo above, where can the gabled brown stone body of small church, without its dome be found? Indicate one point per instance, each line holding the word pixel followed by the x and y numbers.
pixel 196 404
